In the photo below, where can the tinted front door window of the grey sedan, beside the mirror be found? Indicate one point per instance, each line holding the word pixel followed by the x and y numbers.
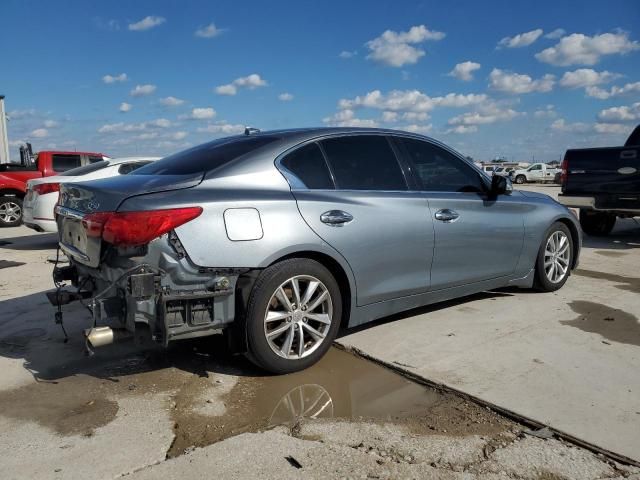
pixel 439 170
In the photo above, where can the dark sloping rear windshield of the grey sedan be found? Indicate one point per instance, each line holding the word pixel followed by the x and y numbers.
pixel 206 157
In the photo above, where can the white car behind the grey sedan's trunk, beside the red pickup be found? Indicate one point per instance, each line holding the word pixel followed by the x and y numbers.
pixel 42 193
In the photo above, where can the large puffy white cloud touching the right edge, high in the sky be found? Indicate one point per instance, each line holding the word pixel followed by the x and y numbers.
pixel 578 48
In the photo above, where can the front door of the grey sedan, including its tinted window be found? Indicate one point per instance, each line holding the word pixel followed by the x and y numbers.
pixel 477 237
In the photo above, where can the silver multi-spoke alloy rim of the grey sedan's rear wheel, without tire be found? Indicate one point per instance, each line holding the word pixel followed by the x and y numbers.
pixel 298 317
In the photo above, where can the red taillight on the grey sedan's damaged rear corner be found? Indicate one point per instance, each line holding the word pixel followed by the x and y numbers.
pixel 136 228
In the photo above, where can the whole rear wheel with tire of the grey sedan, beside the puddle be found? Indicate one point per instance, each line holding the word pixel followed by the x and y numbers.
pixel 293 315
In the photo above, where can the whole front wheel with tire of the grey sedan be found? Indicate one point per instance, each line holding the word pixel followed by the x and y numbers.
pixel 555 258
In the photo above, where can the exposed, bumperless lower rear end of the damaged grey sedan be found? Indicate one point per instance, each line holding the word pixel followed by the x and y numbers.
pixel 160 295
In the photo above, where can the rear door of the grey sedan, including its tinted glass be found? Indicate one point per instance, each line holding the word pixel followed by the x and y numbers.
pixel 353 193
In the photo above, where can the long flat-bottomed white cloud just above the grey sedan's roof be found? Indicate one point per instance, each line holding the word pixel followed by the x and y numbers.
pixel 410 100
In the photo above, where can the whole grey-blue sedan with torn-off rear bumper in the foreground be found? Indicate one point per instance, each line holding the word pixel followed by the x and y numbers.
pixel 279 238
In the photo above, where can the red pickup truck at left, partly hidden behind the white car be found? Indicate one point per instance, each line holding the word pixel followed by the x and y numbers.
pixel 13 179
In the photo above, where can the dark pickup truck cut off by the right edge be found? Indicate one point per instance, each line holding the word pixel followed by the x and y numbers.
pixel 604 183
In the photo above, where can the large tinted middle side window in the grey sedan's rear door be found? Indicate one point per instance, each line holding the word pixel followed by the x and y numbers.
pixel 364 162
